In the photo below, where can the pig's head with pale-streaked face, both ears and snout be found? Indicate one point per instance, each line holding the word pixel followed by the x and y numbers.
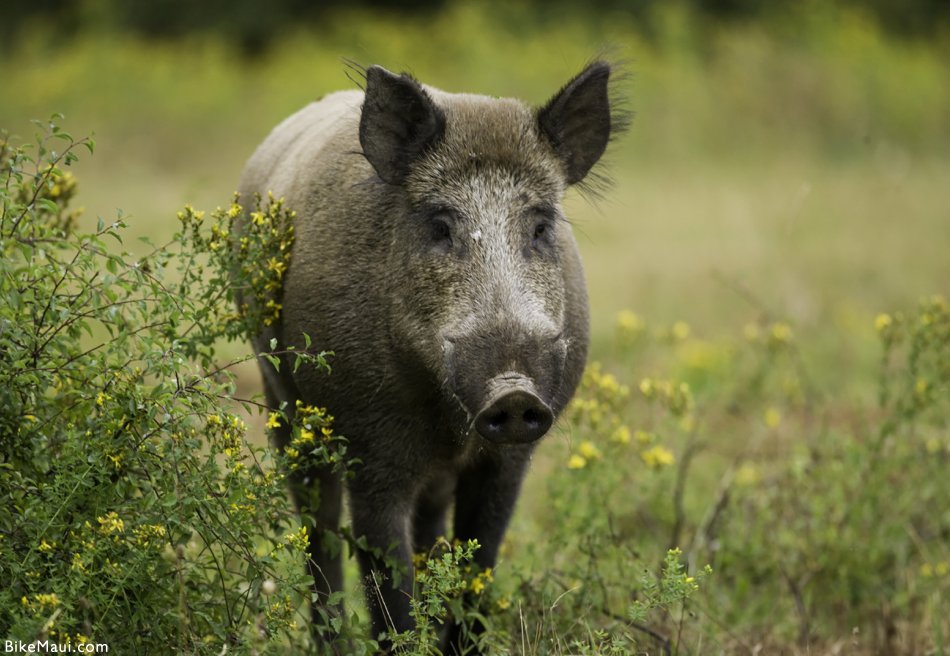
pixel 488 304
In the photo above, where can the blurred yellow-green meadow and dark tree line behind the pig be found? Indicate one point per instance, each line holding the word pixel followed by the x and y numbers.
pixel 788 161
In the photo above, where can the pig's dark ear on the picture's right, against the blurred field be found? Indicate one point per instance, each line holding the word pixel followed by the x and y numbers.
pixel 577 120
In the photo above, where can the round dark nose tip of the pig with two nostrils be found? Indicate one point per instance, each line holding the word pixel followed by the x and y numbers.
pixel 513 413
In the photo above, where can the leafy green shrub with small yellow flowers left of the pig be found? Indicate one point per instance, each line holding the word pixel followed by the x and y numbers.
pixel 137 513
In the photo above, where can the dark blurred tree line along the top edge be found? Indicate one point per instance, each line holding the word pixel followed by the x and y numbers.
pixel 252 25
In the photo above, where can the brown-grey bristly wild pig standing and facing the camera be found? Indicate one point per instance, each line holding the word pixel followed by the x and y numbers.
pixel 432 256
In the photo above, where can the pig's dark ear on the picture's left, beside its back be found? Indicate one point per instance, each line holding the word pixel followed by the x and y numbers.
pixel 399 122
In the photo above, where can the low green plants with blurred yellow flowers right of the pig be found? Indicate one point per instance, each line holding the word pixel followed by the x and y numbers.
pixel 825 518
